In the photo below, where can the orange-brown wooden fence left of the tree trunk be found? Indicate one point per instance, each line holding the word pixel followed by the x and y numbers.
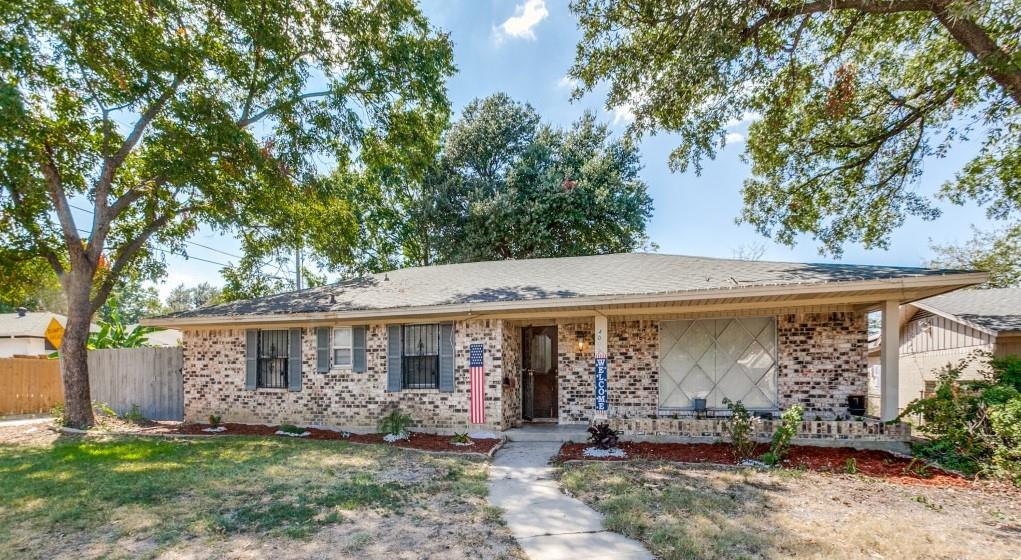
pixel 29 386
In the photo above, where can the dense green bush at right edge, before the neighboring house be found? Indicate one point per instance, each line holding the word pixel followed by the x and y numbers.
pixel 975 428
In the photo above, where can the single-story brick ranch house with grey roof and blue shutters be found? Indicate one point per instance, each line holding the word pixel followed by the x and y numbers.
pixel 679 335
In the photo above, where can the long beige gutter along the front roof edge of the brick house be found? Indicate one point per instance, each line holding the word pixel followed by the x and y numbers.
pixel 950 283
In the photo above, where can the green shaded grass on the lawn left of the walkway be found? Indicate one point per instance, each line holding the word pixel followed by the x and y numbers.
pixel 225 486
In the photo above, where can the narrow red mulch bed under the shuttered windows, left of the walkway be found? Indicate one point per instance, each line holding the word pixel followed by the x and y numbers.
pixel 423 442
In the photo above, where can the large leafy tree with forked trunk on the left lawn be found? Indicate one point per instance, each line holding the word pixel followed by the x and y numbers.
pixel 162 116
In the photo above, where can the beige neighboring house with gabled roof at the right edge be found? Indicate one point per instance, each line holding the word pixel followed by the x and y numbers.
pixel 949 329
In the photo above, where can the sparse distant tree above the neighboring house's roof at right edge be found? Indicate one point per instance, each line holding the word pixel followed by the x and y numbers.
pixel 996 252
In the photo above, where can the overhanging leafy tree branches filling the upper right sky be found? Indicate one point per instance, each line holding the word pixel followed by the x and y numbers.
pixel 848 98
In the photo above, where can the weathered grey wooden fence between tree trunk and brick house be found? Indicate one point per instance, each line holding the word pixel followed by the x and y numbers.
pixel 148 378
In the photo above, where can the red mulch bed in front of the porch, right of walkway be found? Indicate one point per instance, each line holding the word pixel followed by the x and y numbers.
pixel 878 464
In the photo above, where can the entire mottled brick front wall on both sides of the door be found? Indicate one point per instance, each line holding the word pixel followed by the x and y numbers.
pixel 821 360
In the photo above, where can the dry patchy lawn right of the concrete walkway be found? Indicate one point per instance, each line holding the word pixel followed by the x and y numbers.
pixel 707 512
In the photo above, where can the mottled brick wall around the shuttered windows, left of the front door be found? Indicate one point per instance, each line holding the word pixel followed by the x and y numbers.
pixel 215 384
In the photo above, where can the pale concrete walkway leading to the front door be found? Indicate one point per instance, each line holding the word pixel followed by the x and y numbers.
pixel 549 525
